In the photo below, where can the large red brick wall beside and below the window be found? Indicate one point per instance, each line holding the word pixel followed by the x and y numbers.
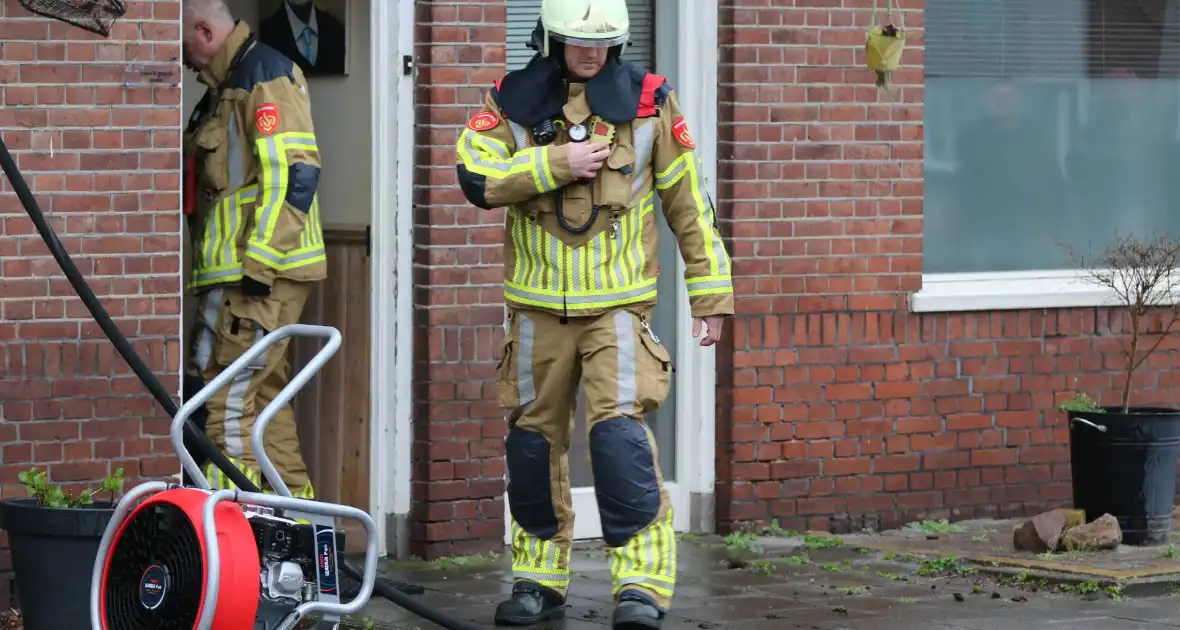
pixel 844 410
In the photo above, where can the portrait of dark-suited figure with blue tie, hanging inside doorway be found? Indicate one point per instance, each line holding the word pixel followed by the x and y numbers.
pixel 313 34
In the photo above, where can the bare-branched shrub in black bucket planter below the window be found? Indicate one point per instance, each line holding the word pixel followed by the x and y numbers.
pixel 1125 457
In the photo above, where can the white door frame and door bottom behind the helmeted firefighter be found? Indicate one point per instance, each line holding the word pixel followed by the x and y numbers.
pixel 697 91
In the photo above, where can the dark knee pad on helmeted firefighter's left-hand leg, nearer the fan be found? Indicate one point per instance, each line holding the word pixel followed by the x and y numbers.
pixel 530 497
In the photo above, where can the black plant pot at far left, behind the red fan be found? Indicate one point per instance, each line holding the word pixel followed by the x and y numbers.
pixel 54 552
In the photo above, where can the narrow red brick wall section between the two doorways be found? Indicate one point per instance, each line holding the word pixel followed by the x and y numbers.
pixel 460 431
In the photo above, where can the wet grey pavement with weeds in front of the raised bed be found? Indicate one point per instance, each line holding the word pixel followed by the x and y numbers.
pixel 837 588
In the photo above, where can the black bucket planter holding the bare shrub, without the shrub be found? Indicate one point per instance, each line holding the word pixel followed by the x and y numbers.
pixel 1125 464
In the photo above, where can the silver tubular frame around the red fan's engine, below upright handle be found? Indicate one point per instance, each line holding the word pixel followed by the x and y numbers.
pixel 213 559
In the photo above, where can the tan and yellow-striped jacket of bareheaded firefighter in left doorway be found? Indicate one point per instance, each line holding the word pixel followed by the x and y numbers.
pixel 252 150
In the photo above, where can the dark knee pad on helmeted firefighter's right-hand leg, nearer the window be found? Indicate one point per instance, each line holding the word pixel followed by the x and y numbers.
pixel 626 482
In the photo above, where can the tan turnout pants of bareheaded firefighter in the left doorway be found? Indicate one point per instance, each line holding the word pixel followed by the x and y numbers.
pixel 228 325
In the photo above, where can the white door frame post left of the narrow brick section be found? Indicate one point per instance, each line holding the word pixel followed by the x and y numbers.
pixel 392 272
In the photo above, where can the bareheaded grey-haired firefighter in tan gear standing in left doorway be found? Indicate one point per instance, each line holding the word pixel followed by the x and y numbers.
pixel 252 169
